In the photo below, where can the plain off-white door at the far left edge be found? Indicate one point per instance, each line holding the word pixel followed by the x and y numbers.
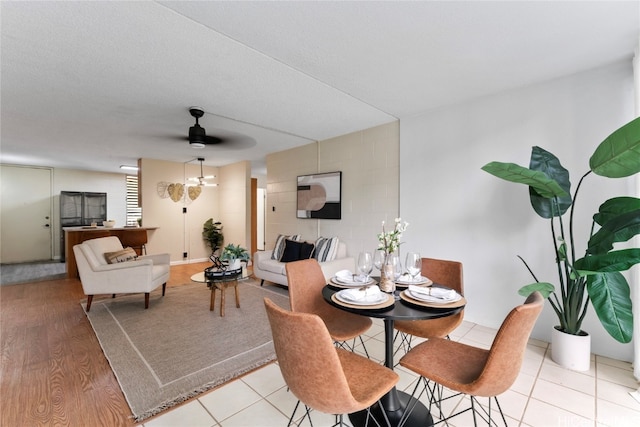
pixel 25 219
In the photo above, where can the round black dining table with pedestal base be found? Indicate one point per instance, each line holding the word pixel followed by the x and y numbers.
pixel 396 403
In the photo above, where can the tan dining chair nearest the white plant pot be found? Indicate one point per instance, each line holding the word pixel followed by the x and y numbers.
pixel 475 371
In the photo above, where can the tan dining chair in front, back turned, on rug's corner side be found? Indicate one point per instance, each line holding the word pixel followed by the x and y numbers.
pixel 325 378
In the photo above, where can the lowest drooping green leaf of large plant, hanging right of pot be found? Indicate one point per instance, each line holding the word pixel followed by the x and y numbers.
pixel 610 297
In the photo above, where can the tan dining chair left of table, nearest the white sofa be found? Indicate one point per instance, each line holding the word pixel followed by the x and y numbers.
pixel 306 281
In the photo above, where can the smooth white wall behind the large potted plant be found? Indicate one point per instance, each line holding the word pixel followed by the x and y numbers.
pixel 459 212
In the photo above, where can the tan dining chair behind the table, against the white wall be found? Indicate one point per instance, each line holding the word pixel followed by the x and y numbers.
pixel 442 272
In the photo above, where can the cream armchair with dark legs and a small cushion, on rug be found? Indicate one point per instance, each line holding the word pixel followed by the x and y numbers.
pixel 144 274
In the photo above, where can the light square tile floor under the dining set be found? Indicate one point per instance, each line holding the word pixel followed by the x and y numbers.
pixel 544 394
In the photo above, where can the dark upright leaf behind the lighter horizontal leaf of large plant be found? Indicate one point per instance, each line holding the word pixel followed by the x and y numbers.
pixel 544 161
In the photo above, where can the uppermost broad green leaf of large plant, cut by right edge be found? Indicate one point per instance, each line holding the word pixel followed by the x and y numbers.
pixel 618 155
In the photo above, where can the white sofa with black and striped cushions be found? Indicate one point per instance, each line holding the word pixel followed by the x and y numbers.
pixel 265 268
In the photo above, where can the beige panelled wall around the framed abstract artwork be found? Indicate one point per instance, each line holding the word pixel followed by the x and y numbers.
pixel 368 160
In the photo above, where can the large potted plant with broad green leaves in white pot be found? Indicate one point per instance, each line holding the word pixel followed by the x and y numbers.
pixel 594 278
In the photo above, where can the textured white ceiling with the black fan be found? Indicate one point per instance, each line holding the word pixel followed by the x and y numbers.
pixel 93 85
